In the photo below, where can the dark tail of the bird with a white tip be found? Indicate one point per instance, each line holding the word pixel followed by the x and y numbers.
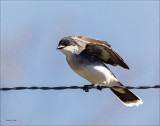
pixel 126 96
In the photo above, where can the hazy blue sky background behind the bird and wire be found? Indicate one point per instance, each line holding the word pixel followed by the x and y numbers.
pixel 30 32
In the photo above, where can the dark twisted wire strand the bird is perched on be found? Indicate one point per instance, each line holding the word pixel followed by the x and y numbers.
pixel 85 87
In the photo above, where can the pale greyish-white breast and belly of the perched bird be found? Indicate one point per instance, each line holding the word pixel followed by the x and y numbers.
pixel 94 73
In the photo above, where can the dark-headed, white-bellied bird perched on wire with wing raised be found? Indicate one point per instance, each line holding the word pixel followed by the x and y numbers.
pixel 88 58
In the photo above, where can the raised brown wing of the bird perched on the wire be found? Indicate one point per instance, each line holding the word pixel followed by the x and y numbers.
pixel 102 51
